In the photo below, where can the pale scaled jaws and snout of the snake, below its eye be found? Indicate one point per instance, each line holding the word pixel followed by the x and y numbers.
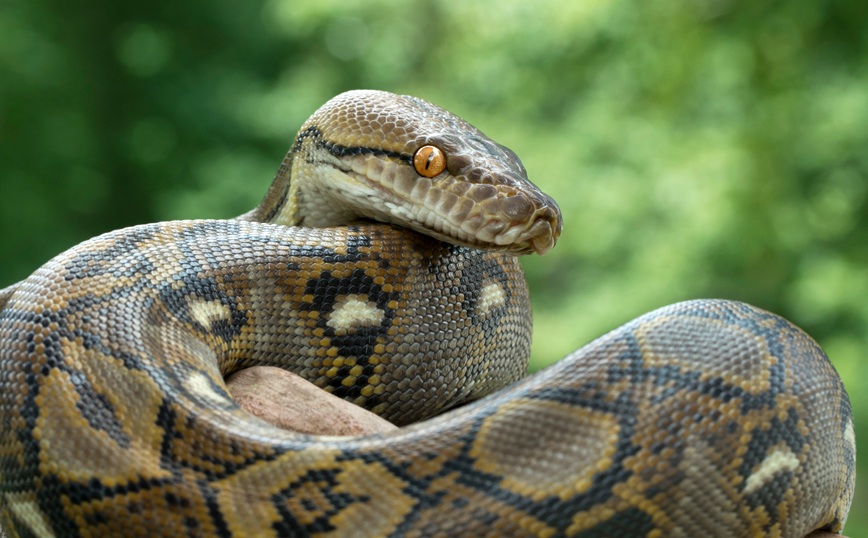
pixel 507 218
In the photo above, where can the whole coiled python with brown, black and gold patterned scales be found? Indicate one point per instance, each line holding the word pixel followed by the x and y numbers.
pixel 704 418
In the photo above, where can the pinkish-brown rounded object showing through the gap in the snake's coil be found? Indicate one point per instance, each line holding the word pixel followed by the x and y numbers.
pixel 288 401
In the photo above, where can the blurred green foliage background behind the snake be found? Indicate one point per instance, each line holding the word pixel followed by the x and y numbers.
pixel 698 148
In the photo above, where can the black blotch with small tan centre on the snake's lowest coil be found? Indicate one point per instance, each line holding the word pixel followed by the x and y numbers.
pixel 326 482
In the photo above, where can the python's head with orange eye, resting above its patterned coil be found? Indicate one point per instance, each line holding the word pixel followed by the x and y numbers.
pixel 396 158
